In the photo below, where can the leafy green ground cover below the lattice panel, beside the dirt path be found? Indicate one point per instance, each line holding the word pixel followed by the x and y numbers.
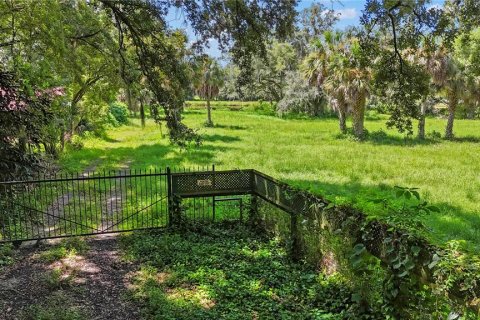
pixel 230 272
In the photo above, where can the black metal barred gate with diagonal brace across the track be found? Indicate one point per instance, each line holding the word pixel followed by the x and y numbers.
pixel 91 203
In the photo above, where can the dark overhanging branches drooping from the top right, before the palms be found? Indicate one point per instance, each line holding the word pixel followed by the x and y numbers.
pixel 406 26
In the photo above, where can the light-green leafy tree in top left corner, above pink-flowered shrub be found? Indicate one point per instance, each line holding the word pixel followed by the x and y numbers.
pixel 67 44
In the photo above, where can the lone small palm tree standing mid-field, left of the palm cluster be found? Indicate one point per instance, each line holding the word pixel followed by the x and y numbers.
pixel 211 79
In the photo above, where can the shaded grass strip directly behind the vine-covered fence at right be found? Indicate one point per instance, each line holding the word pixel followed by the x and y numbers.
pixel 451 223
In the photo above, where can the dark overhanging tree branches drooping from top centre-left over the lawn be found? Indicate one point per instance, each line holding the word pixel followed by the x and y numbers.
pixel 241 27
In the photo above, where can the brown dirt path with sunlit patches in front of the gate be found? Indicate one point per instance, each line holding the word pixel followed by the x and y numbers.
pixel 94 284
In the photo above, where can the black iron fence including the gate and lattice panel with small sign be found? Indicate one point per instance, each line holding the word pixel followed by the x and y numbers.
pixel 115 201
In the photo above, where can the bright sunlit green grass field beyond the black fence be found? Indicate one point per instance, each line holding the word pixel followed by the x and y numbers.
pixel 312 155
